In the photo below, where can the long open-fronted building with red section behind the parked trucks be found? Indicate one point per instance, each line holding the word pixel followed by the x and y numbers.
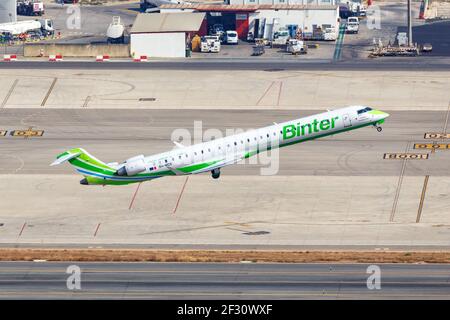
pixel 262 20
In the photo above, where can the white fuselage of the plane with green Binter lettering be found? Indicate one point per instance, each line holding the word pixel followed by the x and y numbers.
pixel 231 149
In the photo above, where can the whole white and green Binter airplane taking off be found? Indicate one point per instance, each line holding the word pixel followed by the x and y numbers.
pixel 213 155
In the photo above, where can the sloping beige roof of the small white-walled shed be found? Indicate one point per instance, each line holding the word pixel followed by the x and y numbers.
pixel 167 22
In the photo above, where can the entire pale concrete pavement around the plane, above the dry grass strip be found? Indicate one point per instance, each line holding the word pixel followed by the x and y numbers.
pixel 336 192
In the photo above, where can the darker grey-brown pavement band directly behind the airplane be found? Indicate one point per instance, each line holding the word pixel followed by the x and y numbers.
pixel 119 134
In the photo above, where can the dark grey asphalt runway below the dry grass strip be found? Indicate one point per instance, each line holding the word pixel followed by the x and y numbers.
pixel 42 280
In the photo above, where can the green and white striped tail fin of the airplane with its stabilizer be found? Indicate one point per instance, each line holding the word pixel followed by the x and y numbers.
pixel 85 163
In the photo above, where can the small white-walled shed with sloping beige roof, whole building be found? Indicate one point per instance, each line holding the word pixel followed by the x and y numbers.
pixel 163 35
